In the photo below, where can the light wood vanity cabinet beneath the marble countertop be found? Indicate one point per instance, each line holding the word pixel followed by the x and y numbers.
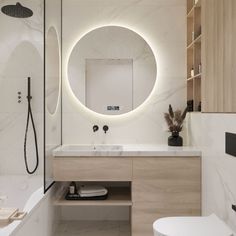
pixel 160 186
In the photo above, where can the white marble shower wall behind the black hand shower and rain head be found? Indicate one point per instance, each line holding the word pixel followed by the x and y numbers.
pixel 21 50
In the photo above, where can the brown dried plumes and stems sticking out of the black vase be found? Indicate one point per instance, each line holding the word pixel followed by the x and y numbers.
pixel 175 119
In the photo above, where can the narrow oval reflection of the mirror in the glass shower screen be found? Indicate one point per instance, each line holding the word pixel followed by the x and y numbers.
pixel 52 70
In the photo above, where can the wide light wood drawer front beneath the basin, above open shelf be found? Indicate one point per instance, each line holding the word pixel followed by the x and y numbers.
pixel 92 169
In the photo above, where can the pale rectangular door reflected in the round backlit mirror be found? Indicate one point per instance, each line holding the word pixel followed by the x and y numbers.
pixel 109 85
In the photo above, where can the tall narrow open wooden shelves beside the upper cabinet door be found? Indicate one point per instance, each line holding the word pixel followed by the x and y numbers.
pixel 194 55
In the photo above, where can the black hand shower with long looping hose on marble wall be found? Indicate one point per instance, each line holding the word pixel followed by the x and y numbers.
pixel 30 118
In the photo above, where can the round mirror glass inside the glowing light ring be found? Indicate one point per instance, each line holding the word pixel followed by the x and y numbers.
pixel 112 70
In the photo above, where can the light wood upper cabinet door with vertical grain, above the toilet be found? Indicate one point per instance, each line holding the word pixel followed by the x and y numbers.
pixel 219 55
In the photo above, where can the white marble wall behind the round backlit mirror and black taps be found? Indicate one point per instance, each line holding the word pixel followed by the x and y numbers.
pixel 163 24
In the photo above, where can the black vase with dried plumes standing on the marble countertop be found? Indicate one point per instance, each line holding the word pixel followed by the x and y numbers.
pixel 174 120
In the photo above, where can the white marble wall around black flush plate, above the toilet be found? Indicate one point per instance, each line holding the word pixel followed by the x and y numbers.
pixel 207 131
